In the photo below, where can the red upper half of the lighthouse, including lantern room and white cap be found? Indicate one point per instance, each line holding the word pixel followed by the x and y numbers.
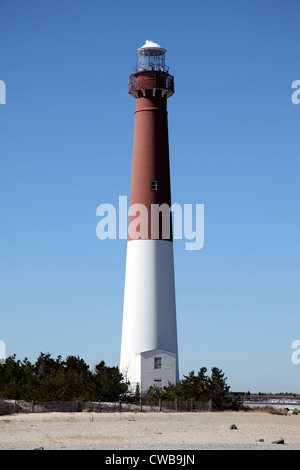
pixel 151 85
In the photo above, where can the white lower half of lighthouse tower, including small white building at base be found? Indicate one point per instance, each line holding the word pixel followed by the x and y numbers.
pixel 149 353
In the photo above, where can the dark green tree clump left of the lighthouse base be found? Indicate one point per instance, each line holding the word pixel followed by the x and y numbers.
pixel 50 379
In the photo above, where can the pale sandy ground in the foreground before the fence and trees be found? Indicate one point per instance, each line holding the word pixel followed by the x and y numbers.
pixel 149 431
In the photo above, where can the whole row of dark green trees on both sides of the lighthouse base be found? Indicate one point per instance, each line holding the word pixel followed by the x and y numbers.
pixel 50 379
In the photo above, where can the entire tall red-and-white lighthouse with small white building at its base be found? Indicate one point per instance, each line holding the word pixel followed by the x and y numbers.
pixel 149 352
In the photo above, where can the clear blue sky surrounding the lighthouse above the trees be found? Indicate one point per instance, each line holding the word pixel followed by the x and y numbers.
pixel 66 147
